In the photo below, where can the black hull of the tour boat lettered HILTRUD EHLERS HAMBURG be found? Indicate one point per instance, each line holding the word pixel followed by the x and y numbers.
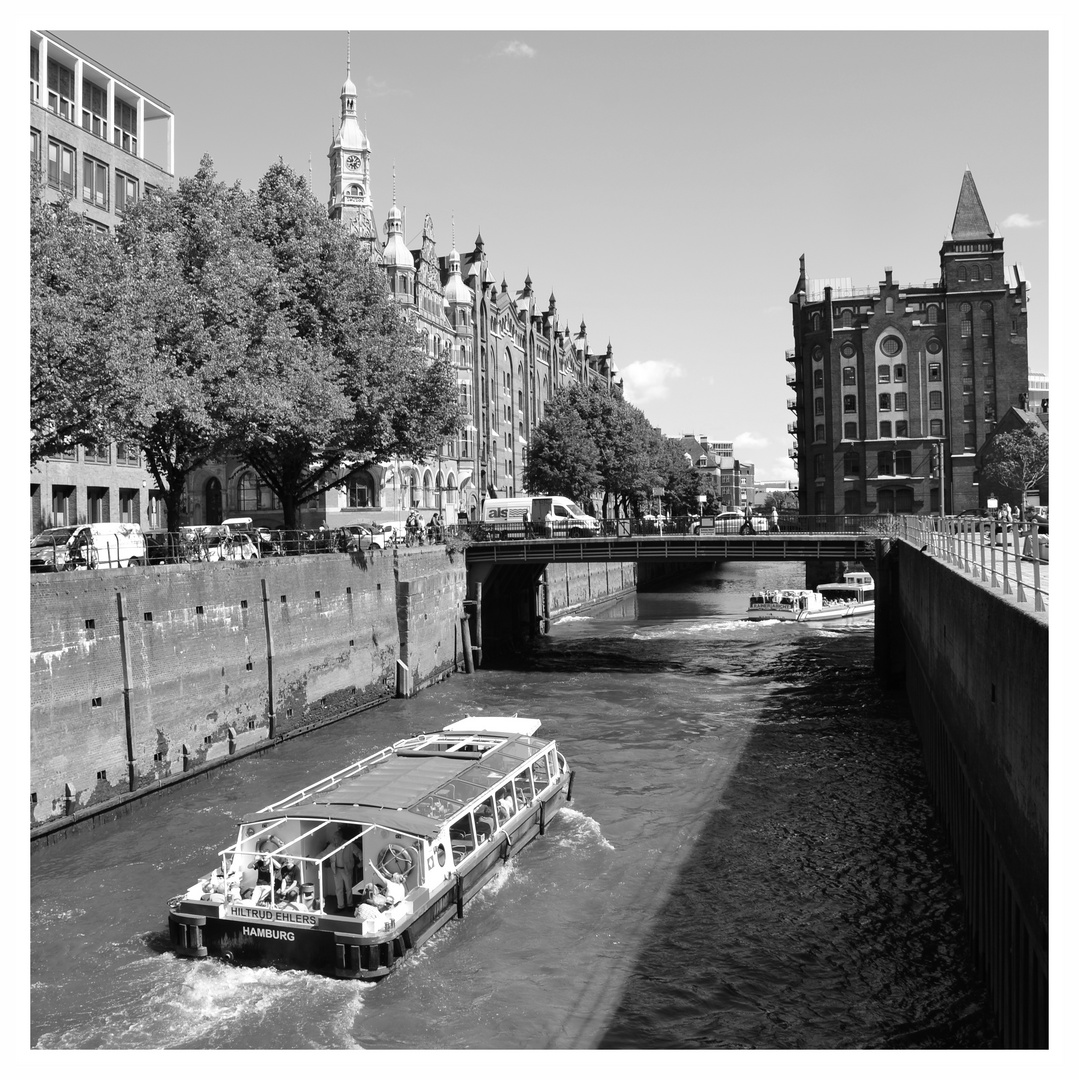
pixel 328 944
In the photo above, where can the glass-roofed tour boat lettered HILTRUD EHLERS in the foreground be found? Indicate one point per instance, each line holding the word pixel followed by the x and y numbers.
pixel 353 873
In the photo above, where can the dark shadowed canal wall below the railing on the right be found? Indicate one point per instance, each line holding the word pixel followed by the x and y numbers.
pixel 977 676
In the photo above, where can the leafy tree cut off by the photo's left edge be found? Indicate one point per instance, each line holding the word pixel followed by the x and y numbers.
pixel 85 383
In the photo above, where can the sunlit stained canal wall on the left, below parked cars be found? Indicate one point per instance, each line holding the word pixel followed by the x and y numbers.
pixel 143 676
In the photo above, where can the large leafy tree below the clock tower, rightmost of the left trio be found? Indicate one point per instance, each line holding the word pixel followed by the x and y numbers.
pixel 348 384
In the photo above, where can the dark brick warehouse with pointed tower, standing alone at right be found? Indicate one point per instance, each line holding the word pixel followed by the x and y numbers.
pixel 898 387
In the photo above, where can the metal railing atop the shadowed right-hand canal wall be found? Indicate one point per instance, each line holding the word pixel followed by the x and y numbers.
pixel 1013 557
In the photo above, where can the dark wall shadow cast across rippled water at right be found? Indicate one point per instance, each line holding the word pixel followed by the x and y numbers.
pixel 821 908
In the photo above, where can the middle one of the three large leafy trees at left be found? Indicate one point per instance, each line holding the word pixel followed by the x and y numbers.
pixel 193 267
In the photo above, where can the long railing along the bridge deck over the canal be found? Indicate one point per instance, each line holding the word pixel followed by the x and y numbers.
pixel 567 529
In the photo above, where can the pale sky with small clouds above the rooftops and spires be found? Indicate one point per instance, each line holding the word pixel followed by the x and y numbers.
pixel 662 184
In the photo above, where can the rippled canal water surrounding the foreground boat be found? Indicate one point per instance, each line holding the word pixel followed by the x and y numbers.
pixel 750 861
